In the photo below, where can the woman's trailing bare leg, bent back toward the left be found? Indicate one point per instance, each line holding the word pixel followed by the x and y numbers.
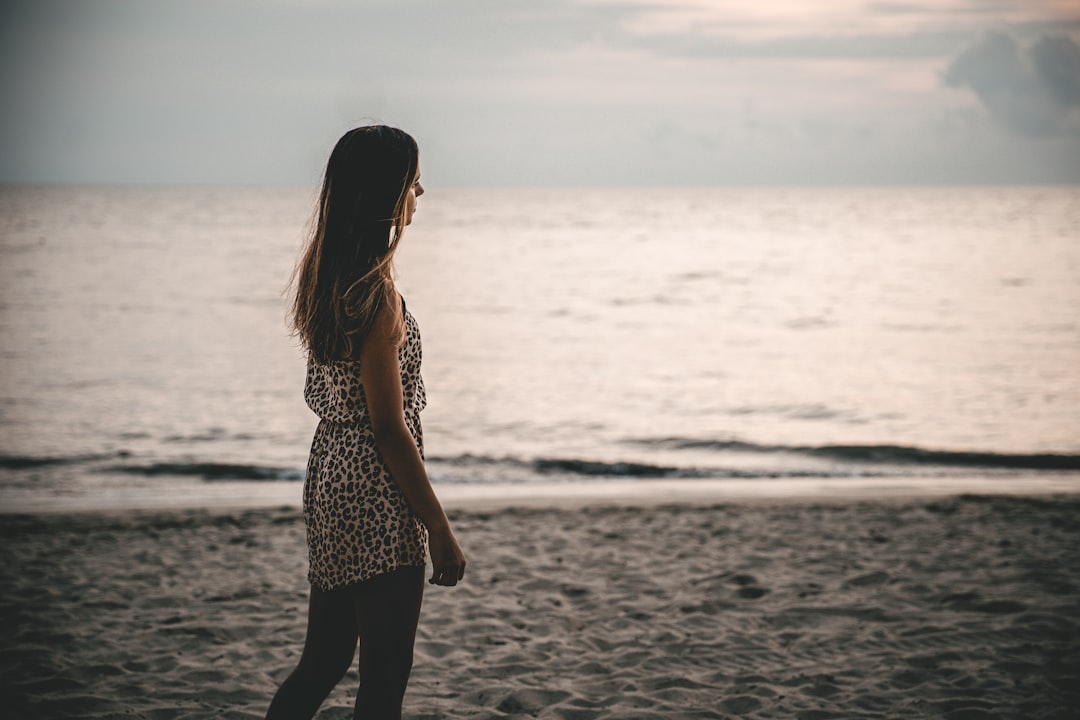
pixel 328 654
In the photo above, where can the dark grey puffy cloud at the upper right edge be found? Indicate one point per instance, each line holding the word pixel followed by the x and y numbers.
pixel 1030 91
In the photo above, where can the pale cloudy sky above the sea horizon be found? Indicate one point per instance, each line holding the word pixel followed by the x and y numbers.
pixel 545 92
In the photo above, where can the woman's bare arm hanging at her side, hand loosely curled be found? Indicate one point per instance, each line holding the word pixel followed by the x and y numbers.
pixel 383 389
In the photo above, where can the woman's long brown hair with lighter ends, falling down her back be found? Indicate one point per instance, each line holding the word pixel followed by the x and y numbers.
pixel 345 276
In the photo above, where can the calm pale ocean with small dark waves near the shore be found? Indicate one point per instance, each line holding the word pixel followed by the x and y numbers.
pixel 870 337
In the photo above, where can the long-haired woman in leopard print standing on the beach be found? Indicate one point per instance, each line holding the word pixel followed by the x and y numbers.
pixel 369 506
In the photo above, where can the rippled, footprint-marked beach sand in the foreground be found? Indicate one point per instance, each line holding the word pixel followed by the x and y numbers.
pixel 964 608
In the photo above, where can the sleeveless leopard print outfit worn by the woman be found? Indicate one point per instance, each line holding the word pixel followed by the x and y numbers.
pixel 359 523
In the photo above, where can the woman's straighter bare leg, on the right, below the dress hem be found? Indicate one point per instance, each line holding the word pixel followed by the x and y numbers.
pixel 388 609
